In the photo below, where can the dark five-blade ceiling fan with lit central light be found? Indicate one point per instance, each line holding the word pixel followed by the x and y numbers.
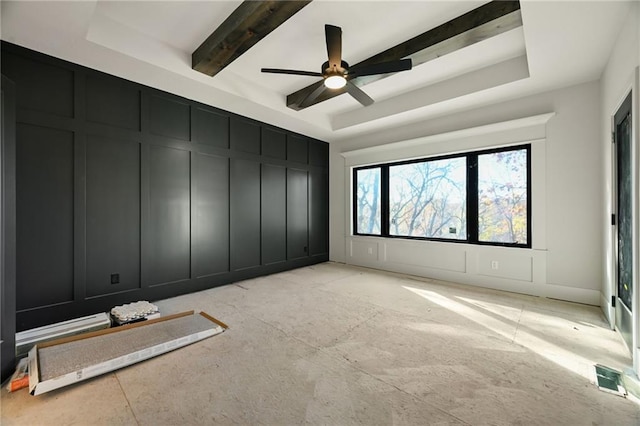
pixel 336 72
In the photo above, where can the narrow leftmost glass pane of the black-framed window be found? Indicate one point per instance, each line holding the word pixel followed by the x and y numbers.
pixel 368 201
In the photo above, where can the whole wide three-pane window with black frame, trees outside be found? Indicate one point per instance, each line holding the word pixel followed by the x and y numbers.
pixel 479 197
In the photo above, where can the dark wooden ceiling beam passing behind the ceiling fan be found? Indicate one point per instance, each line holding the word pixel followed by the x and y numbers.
pixel 486 21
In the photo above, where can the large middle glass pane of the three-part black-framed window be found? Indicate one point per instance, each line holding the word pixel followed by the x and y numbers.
pixel 428 199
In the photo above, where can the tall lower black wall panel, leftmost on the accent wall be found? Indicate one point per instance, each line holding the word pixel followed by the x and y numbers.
pixel 44 216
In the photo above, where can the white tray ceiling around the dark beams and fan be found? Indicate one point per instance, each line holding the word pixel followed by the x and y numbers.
pixel 561 43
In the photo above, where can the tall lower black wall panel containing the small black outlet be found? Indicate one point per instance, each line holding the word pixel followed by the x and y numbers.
pixel 113 215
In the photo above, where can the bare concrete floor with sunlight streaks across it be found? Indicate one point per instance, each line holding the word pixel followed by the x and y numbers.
pixel 338 345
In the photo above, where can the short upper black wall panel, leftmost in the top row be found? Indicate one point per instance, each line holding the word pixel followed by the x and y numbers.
pixel 40 86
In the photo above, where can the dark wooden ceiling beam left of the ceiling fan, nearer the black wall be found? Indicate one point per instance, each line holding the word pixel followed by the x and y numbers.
pixel 247 25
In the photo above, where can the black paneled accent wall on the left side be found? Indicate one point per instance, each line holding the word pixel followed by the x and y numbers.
pixel 127 193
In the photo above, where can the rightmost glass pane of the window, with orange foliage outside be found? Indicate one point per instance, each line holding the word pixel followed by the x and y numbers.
pixel 502 197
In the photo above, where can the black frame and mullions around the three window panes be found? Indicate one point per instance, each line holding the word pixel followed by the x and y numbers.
pixel 472 197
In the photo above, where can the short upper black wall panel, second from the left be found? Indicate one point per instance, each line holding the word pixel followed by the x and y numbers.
pixel 113 102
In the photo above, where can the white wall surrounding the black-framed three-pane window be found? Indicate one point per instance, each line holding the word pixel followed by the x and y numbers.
pixel 566 259
